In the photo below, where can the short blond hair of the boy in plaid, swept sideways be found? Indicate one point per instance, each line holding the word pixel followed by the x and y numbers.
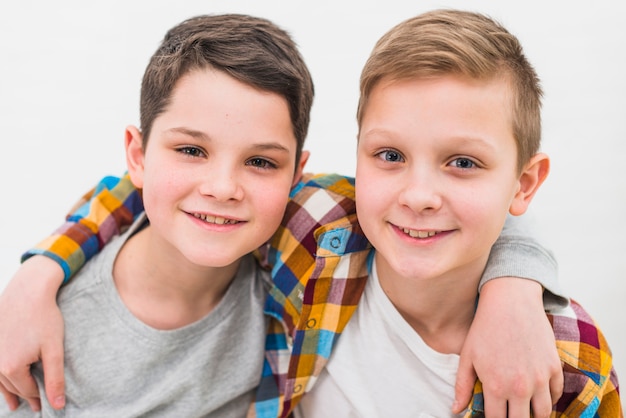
pixel 443 42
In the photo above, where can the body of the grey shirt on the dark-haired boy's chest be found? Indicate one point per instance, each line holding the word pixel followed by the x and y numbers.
pixel 116 366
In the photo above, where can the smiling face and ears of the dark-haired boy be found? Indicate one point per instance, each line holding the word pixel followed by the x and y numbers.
pixel 217 170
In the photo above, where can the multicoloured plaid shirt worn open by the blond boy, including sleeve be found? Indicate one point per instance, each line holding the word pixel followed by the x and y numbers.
pixel 318 263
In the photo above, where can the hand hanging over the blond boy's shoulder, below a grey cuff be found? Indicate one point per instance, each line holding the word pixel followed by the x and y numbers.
pixel 512 350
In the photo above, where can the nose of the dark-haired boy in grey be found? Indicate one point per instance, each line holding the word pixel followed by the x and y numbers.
pixel 221 181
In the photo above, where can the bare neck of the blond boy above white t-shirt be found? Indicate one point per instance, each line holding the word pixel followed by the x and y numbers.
pixel 439 308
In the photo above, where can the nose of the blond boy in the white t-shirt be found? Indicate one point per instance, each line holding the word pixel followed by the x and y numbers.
pixel 421 190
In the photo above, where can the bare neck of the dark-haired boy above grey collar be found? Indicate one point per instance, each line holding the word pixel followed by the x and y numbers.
pixel 162 288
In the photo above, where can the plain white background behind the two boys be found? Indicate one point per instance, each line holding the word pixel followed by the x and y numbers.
pixel 69 83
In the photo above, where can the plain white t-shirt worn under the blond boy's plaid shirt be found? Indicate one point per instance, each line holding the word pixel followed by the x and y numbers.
pixel 381 367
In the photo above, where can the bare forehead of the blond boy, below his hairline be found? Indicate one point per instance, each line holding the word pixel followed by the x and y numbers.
pixel 439 109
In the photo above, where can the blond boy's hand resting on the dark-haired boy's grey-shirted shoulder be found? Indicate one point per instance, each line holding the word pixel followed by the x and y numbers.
pixel 31 329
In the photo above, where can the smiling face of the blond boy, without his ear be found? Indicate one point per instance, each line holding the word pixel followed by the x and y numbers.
pixel 436 174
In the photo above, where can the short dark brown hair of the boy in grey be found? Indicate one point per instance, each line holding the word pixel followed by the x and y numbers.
pixel 252 50
